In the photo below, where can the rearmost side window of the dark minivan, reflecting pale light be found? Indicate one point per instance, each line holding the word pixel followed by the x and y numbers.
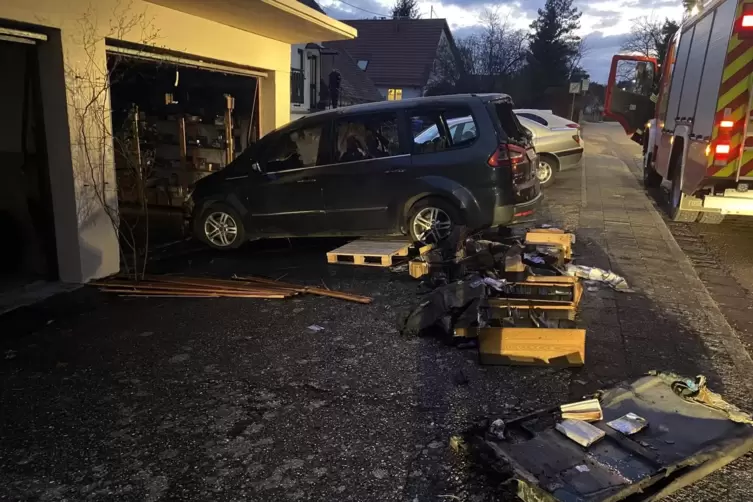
pixel 443 129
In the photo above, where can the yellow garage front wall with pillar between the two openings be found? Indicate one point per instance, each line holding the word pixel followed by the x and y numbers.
pixel 86 242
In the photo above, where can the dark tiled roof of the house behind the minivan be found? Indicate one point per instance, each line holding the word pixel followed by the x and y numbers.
pixel 400 52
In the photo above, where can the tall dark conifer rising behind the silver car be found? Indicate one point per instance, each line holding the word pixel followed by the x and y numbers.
pixel 553 46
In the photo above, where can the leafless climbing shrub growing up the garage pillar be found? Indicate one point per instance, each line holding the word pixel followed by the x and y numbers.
pixel 89 83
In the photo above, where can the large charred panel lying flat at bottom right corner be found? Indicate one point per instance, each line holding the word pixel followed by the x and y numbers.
pixel 689 433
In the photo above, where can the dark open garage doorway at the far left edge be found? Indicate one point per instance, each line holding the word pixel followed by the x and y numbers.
pixel 28 252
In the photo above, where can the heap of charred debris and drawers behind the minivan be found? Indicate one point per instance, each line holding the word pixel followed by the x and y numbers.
pixel 465 271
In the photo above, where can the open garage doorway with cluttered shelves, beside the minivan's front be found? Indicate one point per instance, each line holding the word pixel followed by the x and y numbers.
pixel 174 122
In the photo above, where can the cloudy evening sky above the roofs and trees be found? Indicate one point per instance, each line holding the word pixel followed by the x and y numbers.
pixel 604 24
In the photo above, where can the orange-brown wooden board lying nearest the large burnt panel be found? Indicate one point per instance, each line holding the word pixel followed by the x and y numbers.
pixel 532 346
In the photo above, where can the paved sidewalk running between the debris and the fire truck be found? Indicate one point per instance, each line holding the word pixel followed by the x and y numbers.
pixel 670 321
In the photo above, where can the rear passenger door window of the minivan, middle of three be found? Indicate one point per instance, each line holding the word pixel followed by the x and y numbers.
pixel 366 137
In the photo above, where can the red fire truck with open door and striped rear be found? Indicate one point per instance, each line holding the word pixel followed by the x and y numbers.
pixel 695 124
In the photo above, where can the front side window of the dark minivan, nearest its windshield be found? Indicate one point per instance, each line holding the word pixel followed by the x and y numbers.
pixel 293 150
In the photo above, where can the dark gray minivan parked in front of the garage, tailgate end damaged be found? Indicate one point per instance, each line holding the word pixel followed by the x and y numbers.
pixel 367 169
